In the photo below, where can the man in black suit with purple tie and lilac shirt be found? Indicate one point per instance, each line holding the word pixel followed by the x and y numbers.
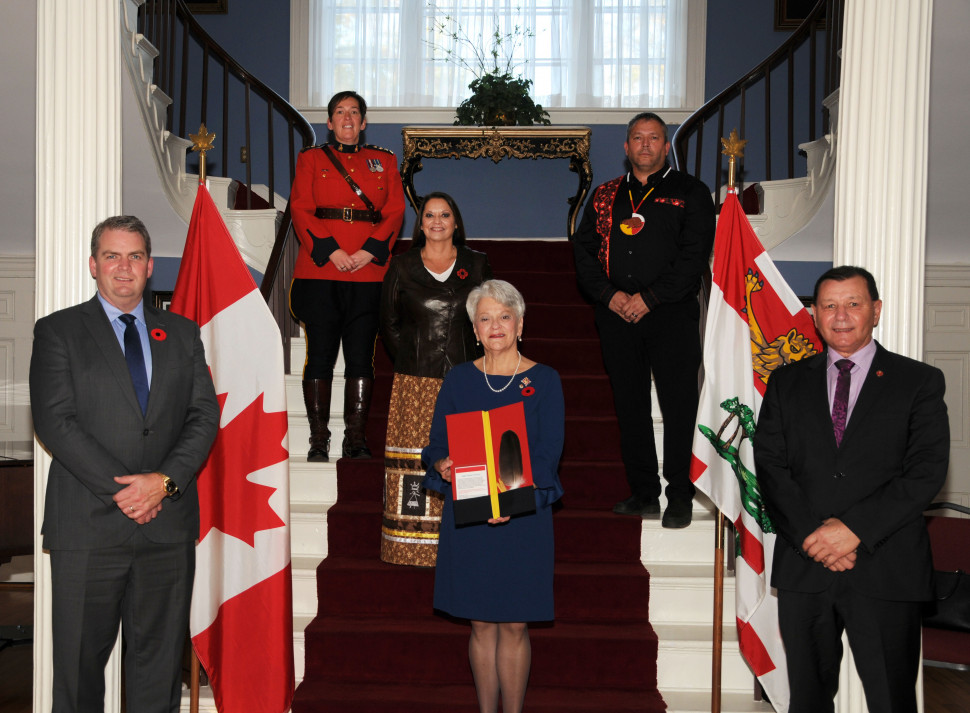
pixel 852 445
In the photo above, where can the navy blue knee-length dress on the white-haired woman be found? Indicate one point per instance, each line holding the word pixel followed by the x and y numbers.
pixel 500 572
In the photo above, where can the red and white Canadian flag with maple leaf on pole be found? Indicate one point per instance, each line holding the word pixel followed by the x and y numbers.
pixel 242 608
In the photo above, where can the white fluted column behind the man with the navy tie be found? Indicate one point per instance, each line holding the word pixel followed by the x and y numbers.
pixel 78 185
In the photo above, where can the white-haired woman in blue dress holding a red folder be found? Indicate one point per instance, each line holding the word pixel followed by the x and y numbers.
pixel 499 574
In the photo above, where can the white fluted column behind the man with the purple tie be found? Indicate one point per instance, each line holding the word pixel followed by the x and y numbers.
pixel 880 189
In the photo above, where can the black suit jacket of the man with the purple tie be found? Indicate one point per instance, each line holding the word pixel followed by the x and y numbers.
pixel 891 464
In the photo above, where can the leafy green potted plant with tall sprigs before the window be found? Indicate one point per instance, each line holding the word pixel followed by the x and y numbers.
pixel 498 97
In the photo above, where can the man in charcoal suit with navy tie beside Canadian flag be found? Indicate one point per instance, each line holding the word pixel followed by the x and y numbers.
pixel 127 409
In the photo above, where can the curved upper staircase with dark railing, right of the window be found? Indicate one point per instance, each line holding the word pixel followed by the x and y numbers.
pixel 794 91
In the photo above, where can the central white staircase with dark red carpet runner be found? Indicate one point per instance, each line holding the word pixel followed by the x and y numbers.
pixel 679 562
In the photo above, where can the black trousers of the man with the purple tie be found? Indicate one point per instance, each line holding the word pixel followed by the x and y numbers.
pixel 884 637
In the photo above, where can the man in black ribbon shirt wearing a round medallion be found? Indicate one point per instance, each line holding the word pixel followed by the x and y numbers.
pixel 641 248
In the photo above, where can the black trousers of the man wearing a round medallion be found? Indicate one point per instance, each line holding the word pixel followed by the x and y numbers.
pixel 666 343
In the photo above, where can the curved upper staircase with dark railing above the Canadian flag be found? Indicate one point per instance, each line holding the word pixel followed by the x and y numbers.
pixel 172 107
